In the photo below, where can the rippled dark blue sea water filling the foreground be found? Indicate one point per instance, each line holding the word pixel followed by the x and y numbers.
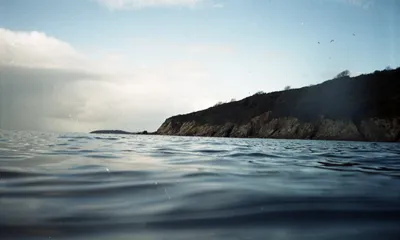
pixel 81 186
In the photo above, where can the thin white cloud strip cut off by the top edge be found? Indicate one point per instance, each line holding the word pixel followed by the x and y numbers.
pixel 139 4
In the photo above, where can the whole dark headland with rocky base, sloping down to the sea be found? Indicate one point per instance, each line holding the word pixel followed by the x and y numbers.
pixel 362 108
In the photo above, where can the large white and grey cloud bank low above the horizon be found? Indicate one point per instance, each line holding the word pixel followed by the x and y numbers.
pixel 46 84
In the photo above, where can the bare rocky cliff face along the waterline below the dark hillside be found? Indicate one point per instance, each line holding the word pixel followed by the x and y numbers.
pixel 374 129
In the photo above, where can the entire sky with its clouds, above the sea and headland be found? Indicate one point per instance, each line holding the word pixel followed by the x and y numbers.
pixel 81 65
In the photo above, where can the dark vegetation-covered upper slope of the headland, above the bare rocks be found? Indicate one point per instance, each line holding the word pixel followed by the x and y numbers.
pixel 344 97
